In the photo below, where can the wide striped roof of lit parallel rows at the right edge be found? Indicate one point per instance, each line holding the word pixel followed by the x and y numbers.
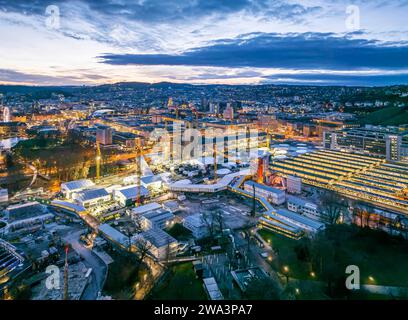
pixel 353 175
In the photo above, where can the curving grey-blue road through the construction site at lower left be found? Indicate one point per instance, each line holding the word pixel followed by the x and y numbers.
pixel 91 260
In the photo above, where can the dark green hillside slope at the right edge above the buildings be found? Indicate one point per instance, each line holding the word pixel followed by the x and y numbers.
pixel 392 116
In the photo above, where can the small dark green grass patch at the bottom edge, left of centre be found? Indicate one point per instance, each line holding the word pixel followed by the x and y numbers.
pixel 182 284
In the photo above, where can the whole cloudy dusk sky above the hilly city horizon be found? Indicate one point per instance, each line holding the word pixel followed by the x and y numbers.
pixel 318 42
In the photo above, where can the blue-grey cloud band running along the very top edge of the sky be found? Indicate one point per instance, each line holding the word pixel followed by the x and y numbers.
pixel 174 11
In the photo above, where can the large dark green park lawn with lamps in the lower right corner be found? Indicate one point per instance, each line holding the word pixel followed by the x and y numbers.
pixel 378 255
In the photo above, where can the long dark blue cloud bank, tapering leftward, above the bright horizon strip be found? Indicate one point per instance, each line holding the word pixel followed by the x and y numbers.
pixel 295 51
